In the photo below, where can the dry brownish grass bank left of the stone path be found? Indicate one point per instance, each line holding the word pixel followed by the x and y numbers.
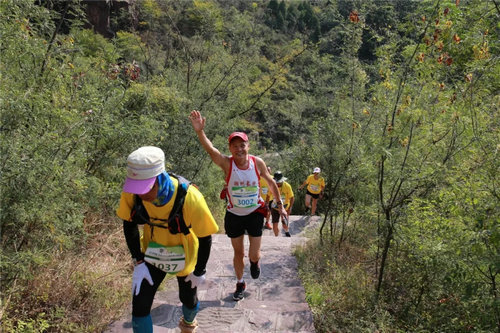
pixel 78 291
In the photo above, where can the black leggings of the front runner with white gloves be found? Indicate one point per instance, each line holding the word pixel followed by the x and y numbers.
pixel 142 303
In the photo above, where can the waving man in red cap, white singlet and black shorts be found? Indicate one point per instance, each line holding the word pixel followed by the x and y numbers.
pixel 246 208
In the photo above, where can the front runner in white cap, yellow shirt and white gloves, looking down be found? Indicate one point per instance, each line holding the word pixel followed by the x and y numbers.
pixel 169 246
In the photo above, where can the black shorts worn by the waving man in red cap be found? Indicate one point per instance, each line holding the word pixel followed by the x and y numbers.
pixel 236 225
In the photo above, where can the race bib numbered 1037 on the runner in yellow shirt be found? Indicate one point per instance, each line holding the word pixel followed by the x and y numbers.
pixel 170 259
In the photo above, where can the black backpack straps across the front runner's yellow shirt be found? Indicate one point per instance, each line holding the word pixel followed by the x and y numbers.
pixel 175 222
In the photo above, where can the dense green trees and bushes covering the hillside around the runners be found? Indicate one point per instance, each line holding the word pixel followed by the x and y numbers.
pixel 397 102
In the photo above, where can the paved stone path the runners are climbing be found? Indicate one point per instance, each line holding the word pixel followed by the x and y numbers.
pixel 273 303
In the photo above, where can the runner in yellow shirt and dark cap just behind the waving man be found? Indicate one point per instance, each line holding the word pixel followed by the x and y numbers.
pixel 287 198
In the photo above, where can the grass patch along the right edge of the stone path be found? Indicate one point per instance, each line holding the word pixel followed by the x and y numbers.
pixel 339 288
